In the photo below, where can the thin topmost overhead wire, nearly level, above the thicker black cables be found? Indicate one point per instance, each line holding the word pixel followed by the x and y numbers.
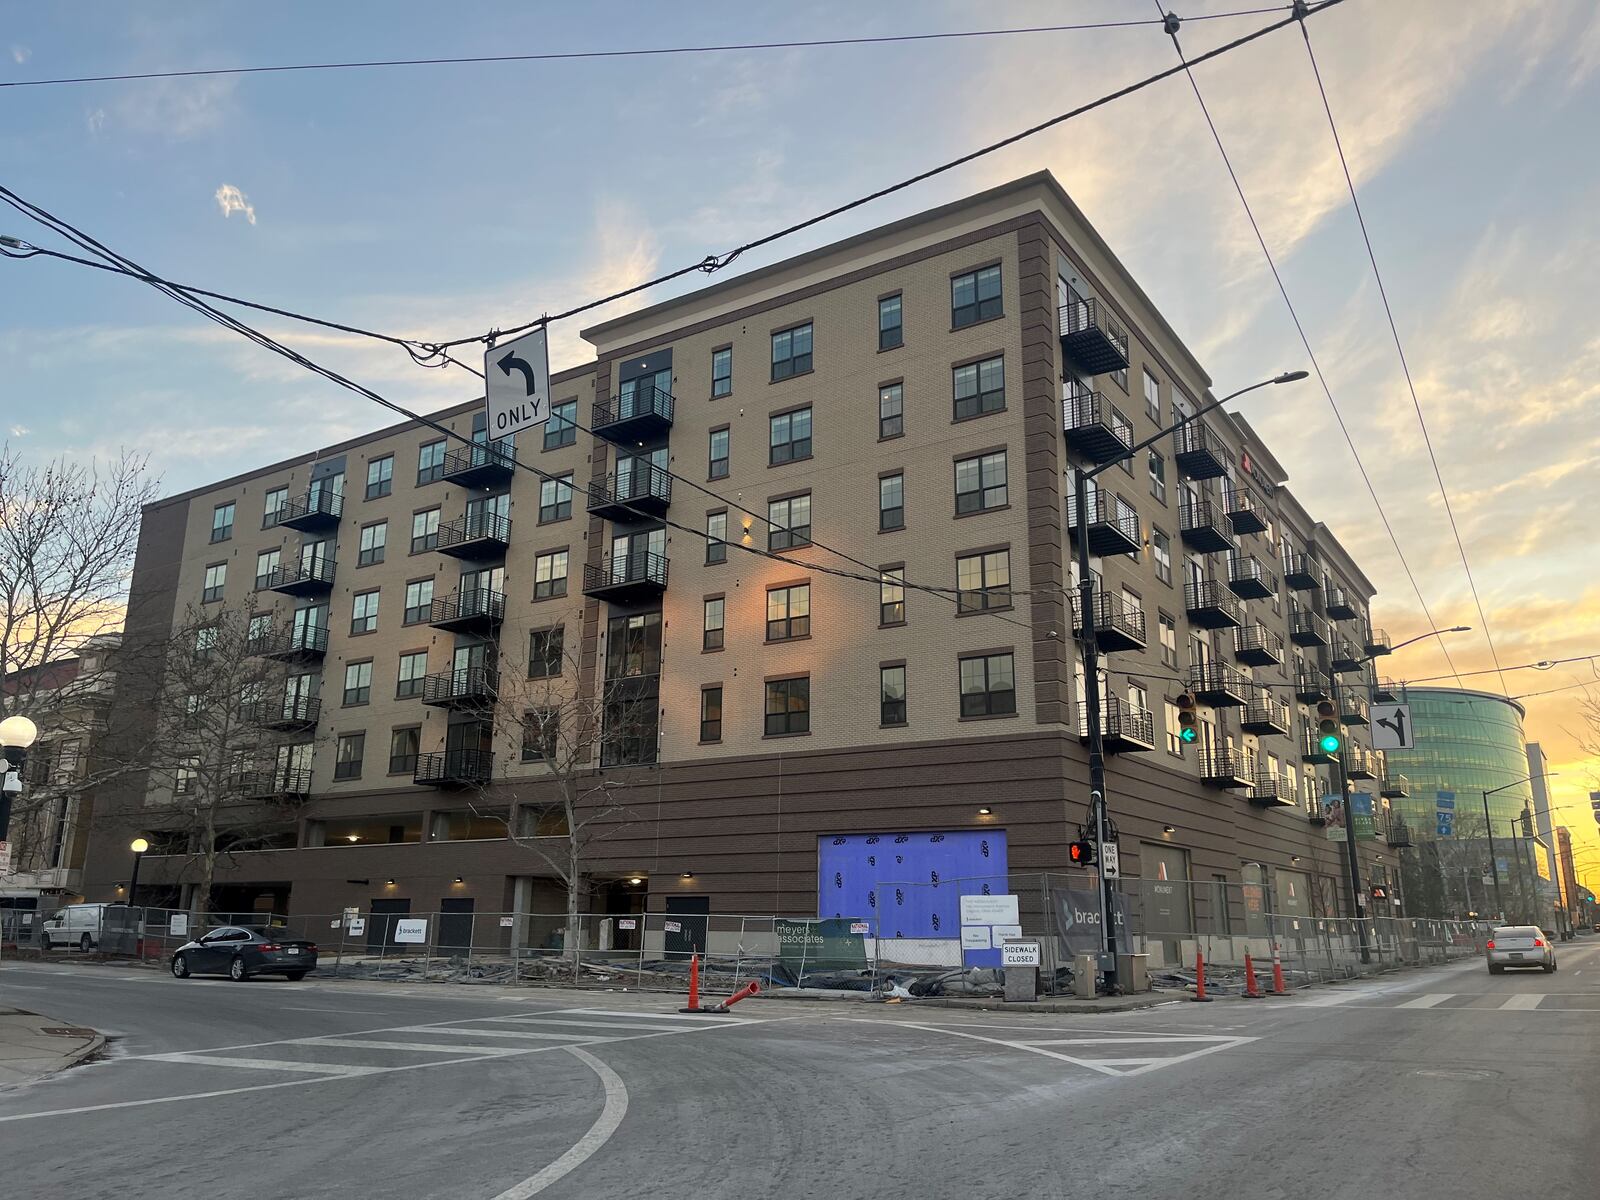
pixel 657 52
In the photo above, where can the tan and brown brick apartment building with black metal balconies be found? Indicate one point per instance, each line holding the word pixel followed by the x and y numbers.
pixel 804 540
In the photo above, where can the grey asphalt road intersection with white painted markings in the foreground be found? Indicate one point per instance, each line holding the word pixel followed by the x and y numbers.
pixel 1428 1084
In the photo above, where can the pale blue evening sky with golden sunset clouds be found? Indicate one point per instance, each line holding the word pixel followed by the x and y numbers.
pixel 444 201
